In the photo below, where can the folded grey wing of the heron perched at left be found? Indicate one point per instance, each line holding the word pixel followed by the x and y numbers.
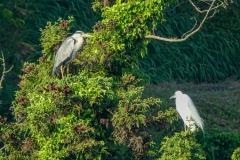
pixel 64 54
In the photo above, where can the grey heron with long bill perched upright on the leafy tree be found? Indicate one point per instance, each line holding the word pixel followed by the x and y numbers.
pixel 68 50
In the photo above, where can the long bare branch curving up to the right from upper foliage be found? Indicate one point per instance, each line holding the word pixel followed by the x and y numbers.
pixel 186 36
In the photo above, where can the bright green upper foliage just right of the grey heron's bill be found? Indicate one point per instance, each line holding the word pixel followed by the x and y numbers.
pixel 118 41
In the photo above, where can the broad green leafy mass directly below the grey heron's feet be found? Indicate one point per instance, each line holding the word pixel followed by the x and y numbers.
pixel 60 119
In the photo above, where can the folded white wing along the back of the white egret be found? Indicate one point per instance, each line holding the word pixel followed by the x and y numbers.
pixel 198 120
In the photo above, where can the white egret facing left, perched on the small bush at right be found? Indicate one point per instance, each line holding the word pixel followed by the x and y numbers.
pixel 187 110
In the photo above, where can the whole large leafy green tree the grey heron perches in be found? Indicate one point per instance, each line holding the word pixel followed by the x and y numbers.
pixel 100 104
